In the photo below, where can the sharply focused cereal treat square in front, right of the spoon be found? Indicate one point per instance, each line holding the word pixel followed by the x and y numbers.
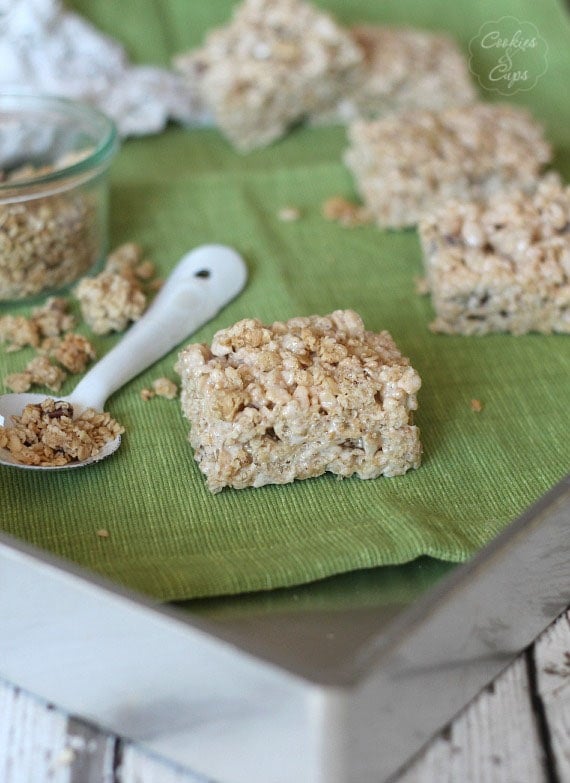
pixel 271 404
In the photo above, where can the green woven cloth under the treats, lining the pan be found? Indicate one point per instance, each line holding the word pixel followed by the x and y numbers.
pixel 169 537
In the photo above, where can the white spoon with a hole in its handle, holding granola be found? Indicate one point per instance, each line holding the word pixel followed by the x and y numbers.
pixel 203 282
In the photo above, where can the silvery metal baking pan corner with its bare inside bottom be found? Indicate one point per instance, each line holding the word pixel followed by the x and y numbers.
pixel 258 700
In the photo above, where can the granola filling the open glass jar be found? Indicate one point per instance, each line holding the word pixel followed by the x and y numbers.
pixel 46 241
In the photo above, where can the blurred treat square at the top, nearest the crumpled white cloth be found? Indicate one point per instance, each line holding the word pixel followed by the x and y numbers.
pixel 272 64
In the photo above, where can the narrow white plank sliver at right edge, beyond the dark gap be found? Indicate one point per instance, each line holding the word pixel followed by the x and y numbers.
pixel 552 661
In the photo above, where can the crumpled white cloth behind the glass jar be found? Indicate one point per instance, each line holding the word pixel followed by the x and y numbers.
pixel 45 48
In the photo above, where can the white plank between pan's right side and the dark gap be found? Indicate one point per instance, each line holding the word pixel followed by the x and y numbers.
pixel 495 739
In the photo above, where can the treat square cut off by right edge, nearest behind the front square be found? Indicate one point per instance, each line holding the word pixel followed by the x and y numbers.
pixel 502 265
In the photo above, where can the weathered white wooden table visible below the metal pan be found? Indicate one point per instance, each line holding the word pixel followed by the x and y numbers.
pixel 516 731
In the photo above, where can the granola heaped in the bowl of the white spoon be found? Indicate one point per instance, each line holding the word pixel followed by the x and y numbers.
pixel 49 434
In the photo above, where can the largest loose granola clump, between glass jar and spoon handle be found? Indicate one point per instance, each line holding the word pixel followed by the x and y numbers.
pixel 110 301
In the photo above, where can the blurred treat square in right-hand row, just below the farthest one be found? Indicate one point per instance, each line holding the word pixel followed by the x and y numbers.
pixel 407 164
